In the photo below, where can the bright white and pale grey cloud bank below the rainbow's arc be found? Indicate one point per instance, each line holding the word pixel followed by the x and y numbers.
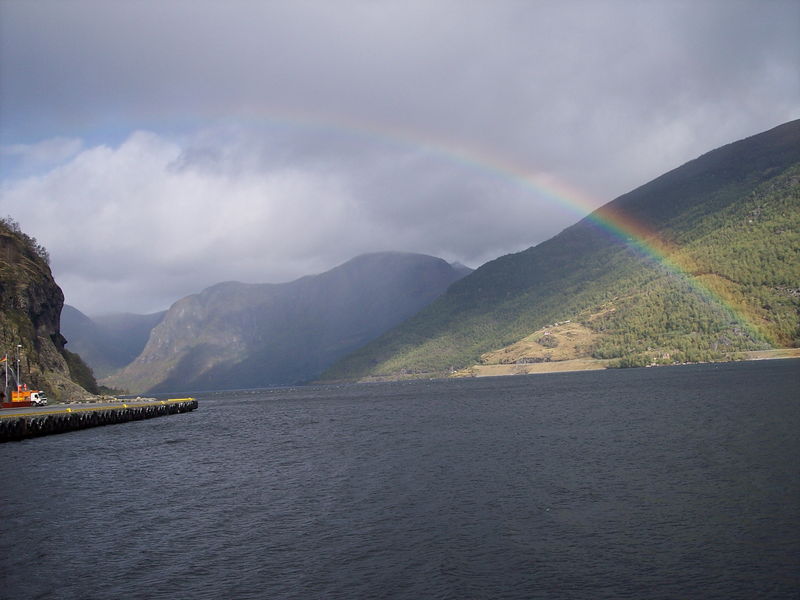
pixel 138 226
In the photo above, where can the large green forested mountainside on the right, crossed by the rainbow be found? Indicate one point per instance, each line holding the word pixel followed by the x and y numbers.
pixel 724 230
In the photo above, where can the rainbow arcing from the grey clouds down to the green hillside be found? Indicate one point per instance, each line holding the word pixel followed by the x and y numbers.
pixel 634 234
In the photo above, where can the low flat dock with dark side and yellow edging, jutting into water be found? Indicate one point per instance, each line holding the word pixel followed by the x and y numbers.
pixel 23 423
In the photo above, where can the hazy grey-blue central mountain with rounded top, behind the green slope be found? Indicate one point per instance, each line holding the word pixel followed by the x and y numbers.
pixel 237 335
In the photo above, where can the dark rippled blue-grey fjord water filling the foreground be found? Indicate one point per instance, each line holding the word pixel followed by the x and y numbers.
pixel 676 482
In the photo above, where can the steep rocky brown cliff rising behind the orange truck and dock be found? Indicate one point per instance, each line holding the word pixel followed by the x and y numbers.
pixel 30 309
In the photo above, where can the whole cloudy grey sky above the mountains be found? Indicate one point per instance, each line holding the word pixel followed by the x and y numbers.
pixel 157 147
